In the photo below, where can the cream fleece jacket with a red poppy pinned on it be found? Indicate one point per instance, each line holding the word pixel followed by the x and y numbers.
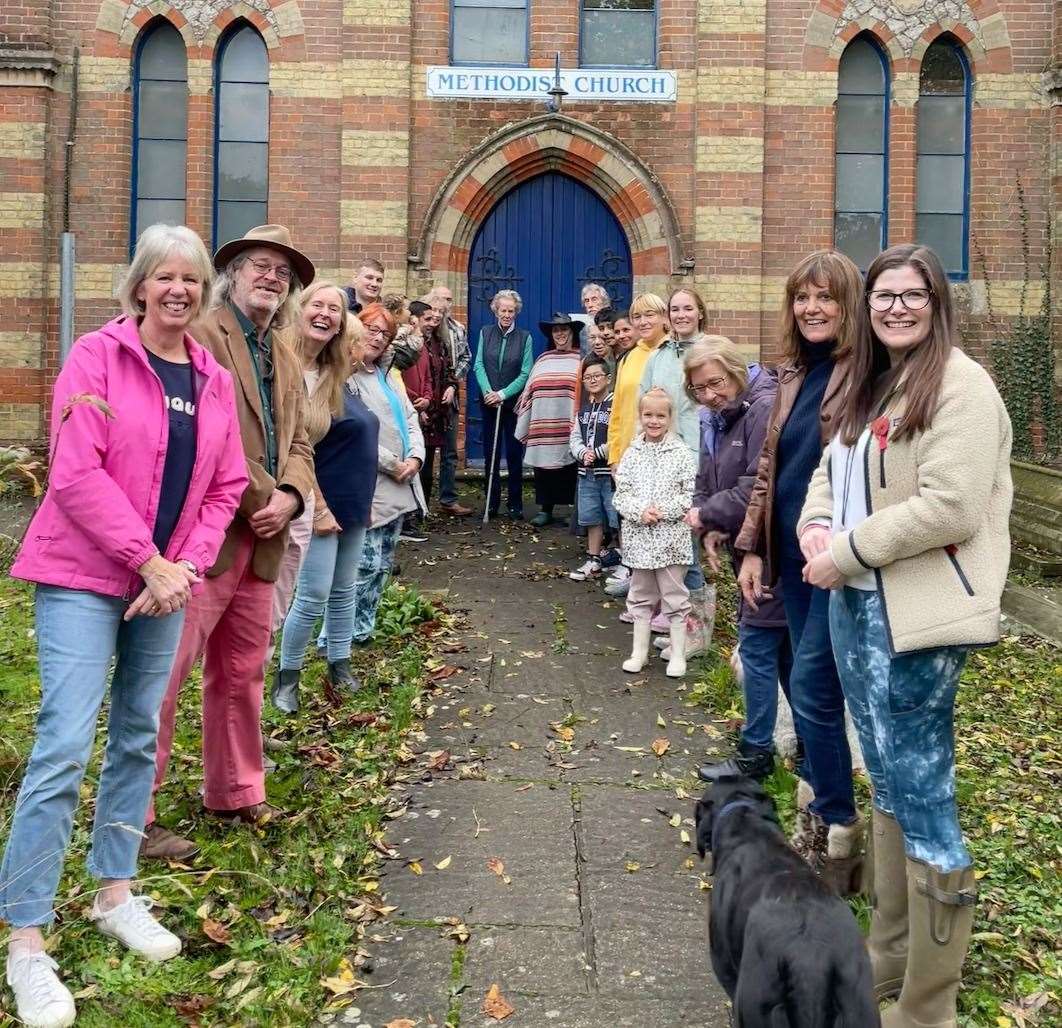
pixel 938 536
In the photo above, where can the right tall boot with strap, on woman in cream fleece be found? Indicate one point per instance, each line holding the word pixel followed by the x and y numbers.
pixel 940 911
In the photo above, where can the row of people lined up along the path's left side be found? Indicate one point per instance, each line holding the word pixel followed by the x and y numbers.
pixel 233 459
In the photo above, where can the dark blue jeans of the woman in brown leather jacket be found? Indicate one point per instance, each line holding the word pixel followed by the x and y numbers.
pixel 816 697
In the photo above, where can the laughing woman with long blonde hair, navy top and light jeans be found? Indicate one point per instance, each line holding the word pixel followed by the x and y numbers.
pixel 345 436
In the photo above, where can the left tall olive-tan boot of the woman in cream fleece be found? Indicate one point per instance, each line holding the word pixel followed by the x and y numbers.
pixel 888 927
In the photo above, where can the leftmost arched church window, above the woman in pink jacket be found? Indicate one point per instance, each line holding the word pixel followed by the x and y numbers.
pixel 160 130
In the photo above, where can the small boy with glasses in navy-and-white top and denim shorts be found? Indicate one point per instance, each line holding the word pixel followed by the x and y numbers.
pixel 590 447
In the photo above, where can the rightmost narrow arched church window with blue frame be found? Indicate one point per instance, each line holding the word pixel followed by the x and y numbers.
pixel 944 180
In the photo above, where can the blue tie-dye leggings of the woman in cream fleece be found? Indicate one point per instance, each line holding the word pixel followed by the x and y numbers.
pixel 903 708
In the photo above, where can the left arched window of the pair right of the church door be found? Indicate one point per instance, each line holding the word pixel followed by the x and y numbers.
pixel 862 185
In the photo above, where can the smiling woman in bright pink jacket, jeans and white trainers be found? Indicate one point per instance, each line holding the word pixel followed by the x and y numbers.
pixel 147 471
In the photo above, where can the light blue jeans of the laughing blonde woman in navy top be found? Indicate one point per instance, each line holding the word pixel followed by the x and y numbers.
pixel 326 584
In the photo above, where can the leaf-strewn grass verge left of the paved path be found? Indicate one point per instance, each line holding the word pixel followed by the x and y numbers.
pixel 271 918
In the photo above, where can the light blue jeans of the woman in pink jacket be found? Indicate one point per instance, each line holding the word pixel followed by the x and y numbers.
pixel 78 636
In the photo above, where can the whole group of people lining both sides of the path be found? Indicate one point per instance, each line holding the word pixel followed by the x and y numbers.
pixel 234 459
